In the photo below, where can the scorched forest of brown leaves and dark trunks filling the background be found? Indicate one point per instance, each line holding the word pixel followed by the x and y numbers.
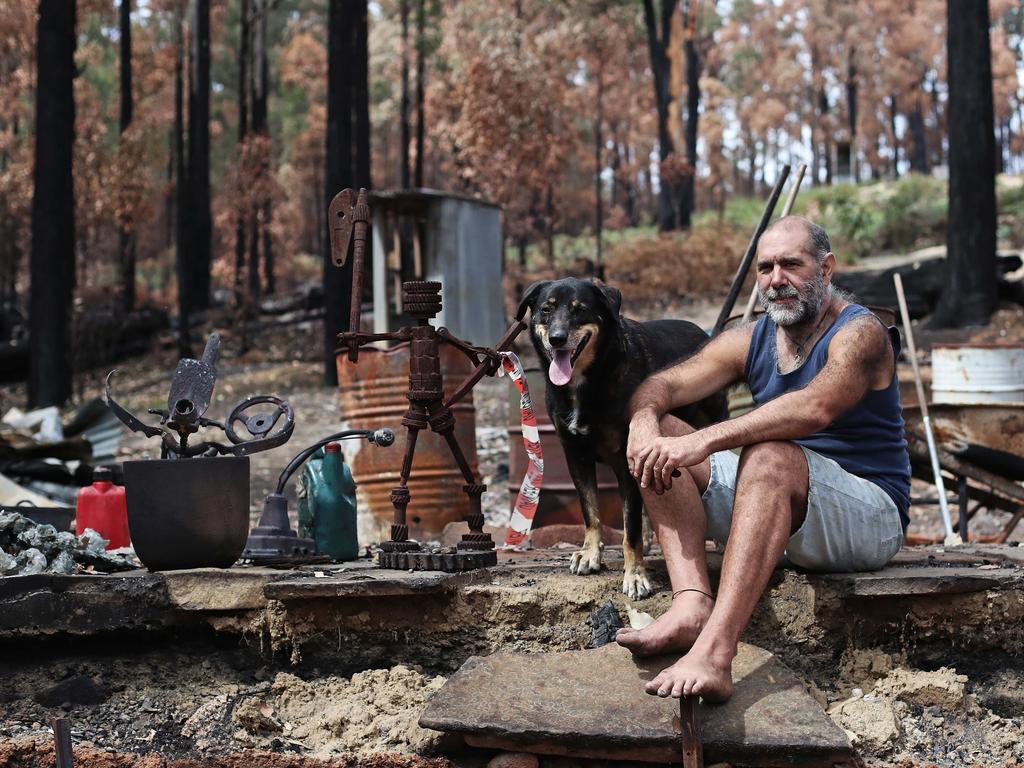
pixel 632 136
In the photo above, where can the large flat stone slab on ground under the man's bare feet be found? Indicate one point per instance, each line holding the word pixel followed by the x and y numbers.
pixel 591 704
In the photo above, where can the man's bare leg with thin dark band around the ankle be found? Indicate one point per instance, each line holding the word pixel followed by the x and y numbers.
pixel 678 518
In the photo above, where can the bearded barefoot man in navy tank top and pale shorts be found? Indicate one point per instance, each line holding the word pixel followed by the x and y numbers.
pixel 823 478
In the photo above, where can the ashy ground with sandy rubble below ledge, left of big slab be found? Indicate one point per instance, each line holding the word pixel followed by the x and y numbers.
pixel 169 703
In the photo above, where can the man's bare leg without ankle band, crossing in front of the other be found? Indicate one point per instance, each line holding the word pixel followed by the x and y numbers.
pixel 772 502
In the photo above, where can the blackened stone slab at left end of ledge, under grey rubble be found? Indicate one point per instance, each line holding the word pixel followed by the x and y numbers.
pixel 81 605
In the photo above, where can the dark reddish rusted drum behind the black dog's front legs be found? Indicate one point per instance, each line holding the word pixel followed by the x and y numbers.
pixel 560 502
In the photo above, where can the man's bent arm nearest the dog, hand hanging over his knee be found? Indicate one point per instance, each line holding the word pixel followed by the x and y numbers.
pixel 718 365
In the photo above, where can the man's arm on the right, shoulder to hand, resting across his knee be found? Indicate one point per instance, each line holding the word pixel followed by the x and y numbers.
pixel 860 359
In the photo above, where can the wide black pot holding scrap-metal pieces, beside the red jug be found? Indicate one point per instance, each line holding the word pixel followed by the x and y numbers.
pixel 188 514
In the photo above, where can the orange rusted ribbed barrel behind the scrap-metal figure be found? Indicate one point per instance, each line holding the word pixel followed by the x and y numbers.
pixel 373 396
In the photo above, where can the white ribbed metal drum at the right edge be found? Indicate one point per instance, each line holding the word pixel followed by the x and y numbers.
pixel 972 374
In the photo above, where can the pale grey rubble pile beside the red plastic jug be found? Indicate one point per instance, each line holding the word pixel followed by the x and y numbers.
pixel 28 548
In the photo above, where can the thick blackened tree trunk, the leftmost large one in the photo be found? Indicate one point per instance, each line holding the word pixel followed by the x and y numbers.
pixel 53 263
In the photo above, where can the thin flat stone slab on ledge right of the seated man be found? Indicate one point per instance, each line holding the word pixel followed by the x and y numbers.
pixel 925 581
